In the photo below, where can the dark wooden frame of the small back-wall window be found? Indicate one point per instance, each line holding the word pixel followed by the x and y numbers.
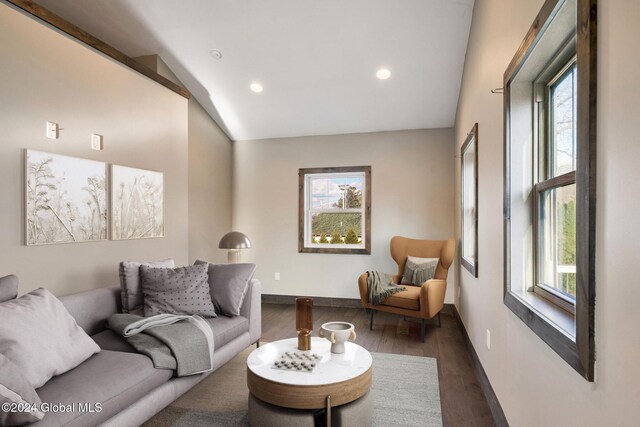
pixel 330 249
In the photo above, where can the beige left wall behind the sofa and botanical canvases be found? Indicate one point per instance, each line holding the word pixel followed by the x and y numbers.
pixel 48 76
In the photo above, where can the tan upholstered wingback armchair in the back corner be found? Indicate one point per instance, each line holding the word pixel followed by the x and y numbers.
pixel 424 301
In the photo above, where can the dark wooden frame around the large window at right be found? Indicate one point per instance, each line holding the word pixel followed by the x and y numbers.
pixel 578 350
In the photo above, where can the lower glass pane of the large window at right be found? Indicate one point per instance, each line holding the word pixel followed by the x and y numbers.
pixel 557 239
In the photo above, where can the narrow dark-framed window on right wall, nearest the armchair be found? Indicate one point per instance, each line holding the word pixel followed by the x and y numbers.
pixel 469 206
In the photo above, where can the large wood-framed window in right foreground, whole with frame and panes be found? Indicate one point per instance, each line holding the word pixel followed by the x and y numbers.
pixel 550 90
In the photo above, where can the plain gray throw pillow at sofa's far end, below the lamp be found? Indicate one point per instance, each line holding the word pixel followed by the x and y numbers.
pixel 229 284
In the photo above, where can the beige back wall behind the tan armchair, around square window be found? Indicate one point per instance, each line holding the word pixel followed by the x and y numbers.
pixel 412 184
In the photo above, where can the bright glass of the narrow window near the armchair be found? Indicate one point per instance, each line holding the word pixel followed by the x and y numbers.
pixel 469 200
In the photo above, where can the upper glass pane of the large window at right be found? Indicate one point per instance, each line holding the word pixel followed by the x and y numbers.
pixel 564 119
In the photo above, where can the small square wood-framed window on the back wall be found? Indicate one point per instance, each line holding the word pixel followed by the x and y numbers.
pixel 334 210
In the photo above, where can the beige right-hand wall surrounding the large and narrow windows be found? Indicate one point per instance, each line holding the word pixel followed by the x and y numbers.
pixel 534 385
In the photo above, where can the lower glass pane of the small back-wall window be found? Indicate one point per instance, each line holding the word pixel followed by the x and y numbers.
pixel 347 227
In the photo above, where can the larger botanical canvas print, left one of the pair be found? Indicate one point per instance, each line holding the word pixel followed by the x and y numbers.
pixel 65 199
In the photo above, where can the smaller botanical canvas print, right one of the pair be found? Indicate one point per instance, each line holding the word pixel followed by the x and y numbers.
pixel 137 203
